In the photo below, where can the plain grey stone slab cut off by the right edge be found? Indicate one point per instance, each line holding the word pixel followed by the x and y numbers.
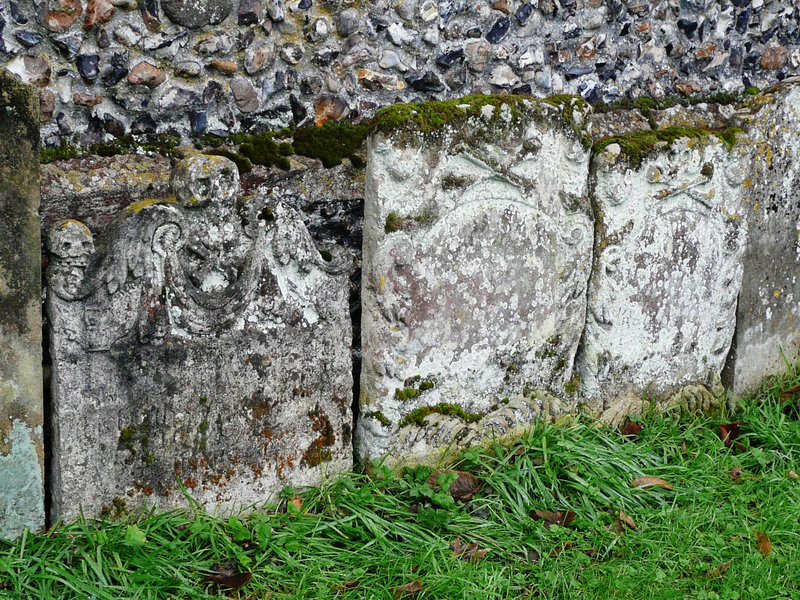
pixel 768 316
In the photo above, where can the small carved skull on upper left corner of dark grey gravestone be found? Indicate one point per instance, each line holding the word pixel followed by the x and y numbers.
pixel 71 245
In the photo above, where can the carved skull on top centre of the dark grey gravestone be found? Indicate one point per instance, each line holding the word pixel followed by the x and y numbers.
pixel 201 179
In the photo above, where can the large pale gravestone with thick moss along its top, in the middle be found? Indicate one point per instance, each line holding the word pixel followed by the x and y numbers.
pixel 477 250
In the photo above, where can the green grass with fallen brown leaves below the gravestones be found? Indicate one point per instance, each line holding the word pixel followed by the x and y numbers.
pixel 388 535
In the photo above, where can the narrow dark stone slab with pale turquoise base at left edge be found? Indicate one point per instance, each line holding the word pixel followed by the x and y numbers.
pixel 21 417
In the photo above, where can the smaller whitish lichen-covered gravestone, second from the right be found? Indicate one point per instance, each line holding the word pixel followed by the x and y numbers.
pixel 662 297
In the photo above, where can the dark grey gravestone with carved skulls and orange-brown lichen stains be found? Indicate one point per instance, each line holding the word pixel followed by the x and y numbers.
pixel 205 344
